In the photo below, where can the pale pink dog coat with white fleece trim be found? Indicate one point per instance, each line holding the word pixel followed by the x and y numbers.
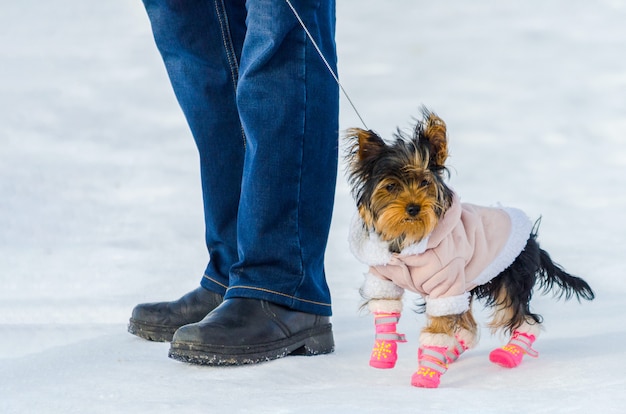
pixel 470 246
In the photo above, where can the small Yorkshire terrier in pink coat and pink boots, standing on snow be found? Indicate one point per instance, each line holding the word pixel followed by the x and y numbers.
pixel 414 233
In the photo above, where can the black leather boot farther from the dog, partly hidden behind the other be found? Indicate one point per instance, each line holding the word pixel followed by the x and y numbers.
pixel 158 321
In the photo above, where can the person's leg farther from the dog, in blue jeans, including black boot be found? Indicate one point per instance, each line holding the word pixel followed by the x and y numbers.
pixel 201 47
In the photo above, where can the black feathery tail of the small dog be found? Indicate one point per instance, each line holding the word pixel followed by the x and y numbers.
pixel 552 278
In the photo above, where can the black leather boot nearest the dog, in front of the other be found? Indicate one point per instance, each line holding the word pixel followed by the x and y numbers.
pixel 248 331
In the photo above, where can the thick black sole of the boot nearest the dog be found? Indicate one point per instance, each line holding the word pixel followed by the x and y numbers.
pixel 315 341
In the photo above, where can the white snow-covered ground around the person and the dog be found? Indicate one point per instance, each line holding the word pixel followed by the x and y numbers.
pixel 100 205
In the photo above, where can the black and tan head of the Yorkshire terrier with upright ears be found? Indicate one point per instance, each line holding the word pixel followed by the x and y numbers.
pixel 400 187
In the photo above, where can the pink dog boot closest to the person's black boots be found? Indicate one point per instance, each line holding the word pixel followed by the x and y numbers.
pixel 384 354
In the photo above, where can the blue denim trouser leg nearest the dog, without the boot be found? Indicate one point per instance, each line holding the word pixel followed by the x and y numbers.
pixel 288 105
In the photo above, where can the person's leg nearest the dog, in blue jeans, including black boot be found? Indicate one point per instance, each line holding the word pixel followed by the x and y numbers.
pixel 278 301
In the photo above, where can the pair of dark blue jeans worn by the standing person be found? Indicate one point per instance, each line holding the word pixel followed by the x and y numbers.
pixel 263 110
